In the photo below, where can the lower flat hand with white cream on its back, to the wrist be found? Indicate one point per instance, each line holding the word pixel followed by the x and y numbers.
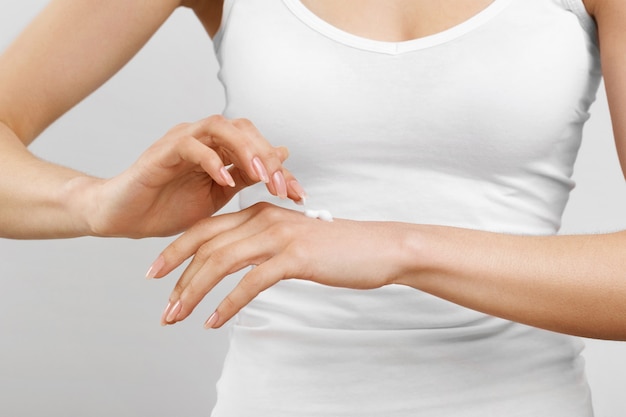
pixel 281 244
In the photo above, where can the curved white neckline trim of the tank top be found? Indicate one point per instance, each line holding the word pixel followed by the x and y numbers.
pixel 389 47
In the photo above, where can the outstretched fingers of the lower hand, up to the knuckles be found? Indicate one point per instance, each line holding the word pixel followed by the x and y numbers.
pixel 223 245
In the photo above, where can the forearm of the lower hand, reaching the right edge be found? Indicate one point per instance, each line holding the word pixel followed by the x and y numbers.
pixel 569 284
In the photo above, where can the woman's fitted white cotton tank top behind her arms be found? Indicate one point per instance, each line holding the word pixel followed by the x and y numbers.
pixel 477 126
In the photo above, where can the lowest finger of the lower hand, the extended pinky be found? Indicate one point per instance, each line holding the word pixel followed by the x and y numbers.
pixel 252 284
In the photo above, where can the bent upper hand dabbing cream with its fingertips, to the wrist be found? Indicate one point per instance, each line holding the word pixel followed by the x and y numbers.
pixel 187 175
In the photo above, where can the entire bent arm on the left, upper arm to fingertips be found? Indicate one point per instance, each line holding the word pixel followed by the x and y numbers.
pixel 59 60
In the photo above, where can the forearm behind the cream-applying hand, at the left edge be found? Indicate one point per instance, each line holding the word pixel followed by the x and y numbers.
pixel 39 199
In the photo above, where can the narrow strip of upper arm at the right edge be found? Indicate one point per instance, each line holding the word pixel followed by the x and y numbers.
pixel 610 16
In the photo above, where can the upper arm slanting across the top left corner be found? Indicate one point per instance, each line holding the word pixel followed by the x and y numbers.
pixel 67 52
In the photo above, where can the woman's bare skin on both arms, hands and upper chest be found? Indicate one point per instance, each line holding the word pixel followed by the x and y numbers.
pixel 570 284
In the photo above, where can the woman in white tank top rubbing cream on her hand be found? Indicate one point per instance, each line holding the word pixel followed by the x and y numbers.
pixel 424 128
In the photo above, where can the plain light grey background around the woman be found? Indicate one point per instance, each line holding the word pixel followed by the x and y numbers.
pixel 80 333
